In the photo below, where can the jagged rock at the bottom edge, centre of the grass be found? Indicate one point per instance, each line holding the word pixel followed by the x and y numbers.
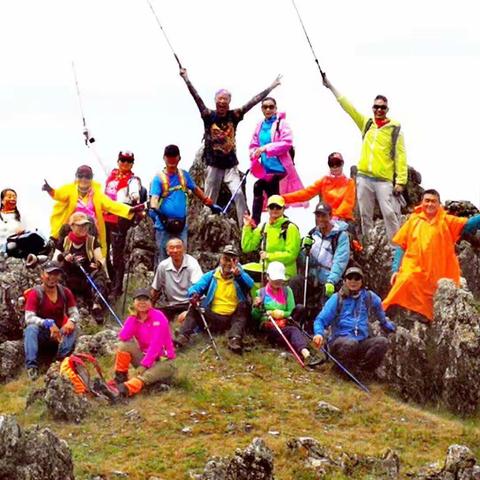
pixel 253 463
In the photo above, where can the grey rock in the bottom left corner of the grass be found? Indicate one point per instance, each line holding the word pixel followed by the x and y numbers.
pixel 32 454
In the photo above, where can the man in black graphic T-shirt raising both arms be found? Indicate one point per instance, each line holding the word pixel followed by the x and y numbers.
pixel 220 156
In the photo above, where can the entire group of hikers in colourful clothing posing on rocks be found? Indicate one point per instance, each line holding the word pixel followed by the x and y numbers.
pixel 324 309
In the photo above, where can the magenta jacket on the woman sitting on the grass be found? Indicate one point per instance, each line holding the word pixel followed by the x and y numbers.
pixel 153 336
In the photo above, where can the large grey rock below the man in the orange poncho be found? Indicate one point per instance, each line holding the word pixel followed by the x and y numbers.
pixel 439 363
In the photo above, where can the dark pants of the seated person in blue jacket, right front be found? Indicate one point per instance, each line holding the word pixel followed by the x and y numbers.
pixel 365 355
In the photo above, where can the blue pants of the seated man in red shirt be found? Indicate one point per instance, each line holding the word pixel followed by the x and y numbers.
pixel 36 336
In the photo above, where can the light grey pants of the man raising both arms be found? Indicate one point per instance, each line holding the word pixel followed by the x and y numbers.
pixel 231 176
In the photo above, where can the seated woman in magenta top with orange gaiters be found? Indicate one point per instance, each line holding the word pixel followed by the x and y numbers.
pixel 146 343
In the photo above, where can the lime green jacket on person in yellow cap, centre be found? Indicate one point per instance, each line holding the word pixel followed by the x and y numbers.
pixel 281 246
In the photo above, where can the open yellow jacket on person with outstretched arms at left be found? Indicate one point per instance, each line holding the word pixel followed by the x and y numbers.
pixel 66 203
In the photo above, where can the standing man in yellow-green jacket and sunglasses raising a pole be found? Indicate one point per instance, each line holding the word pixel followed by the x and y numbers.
pixel 382 168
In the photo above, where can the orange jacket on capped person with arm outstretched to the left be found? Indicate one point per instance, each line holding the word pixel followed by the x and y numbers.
pixel 338 192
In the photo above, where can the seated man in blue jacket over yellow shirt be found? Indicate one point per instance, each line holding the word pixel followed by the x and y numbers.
pixel 226 290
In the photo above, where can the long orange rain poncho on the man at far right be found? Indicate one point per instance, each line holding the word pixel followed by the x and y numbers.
pixel 429 246
